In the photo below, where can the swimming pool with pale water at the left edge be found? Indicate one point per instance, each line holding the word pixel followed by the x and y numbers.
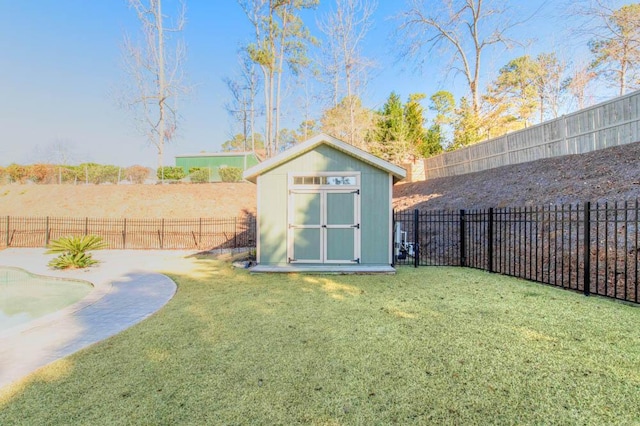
pixel 25 296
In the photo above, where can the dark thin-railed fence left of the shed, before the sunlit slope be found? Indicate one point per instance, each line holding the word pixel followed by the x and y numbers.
pixel 200 234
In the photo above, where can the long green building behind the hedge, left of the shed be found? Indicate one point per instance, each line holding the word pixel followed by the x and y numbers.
pixel 214 161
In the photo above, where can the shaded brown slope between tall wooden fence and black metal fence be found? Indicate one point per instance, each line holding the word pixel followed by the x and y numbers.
pixel 606 175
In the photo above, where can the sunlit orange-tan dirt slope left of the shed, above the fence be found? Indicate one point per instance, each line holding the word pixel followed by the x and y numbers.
pixel 129 201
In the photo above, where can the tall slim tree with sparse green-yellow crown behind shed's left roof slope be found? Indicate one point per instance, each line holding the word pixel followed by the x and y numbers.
pixel 280 37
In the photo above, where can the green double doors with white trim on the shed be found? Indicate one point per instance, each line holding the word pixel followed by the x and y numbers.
pixel 324 226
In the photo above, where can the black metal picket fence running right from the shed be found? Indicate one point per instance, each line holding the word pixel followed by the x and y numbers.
pixel 592 248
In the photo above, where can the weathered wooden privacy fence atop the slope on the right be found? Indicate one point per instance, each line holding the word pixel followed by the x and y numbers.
pixel 611 123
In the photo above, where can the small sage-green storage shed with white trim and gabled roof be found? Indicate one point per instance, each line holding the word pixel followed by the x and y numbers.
pixel 324 205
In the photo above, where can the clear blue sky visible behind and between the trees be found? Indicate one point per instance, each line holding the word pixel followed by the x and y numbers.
pixel 60 69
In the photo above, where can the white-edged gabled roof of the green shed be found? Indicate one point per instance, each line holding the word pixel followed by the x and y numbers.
pixel 252 173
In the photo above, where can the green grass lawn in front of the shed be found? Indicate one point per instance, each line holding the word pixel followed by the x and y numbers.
pixel 427 346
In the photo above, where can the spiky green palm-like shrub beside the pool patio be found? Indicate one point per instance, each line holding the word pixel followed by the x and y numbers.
pixel 74 251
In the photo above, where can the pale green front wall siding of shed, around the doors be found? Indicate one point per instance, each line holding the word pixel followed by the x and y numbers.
pixel 374 204
